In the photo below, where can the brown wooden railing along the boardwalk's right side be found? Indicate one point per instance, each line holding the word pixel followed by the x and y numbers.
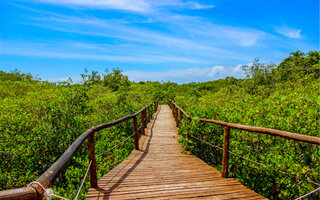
pixel 178 114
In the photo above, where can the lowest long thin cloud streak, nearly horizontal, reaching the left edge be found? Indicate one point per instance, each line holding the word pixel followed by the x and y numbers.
pixel 78 51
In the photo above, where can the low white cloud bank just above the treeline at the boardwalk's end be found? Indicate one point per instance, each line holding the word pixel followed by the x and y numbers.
pixel 198 74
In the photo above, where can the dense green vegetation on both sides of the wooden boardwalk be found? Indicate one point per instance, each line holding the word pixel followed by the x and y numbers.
pixel 39 120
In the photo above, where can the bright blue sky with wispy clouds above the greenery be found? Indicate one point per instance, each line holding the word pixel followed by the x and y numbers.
pixel 175 40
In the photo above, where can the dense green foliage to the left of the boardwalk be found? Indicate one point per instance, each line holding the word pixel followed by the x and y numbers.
pixel 39 121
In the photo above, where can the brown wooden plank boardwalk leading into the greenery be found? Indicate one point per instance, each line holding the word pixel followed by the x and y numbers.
pixel 160 171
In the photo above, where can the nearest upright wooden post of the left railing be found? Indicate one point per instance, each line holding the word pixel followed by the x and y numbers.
pixel 92 157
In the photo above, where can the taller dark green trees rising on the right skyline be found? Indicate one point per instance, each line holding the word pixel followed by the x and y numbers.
pixel 297 66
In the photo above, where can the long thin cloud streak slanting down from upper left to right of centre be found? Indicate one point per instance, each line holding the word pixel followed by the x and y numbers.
pixel 112 29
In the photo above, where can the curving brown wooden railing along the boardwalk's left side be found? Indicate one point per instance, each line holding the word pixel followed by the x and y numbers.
pixel 48 177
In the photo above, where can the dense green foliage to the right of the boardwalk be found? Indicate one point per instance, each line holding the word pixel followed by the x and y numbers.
pixel 264 99
